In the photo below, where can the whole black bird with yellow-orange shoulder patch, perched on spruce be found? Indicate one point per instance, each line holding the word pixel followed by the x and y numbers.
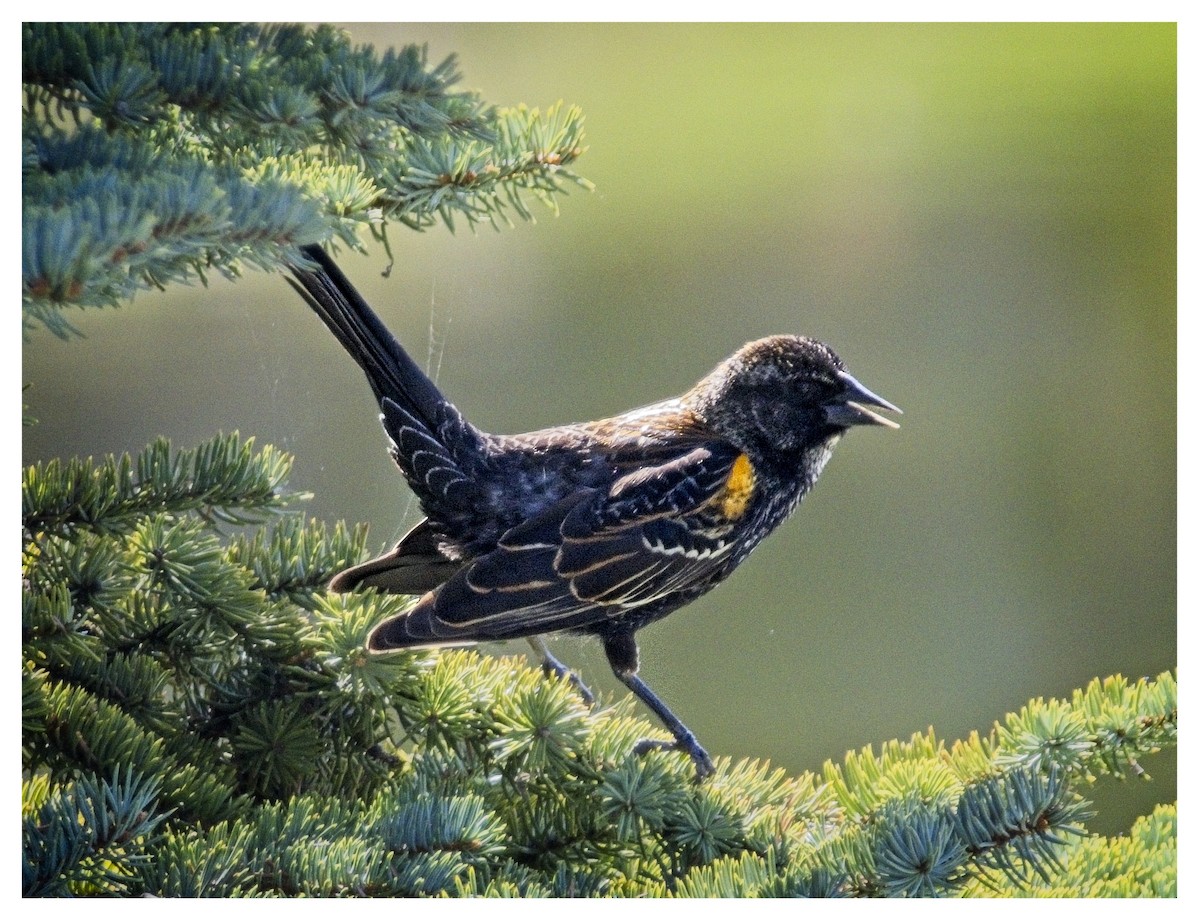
pixel 595 528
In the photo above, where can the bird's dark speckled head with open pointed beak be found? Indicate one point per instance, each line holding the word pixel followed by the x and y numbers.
pixel 785 396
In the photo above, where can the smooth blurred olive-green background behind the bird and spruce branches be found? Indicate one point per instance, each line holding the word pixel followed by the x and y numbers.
pixel 979 219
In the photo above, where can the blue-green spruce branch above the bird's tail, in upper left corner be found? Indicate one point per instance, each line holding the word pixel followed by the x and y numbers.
pixel 158 153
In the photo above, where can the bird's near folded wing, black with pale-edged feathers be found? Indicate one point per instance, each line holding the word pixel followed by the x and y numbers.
pixel 590 557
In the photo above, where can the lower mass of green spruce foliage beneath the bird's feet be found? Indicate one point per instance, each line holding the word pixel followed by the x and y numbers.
pixel 201 719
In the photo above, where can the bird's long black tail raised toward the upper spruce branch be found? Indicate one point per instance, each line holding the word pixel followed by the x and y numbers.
pixel 433 444
